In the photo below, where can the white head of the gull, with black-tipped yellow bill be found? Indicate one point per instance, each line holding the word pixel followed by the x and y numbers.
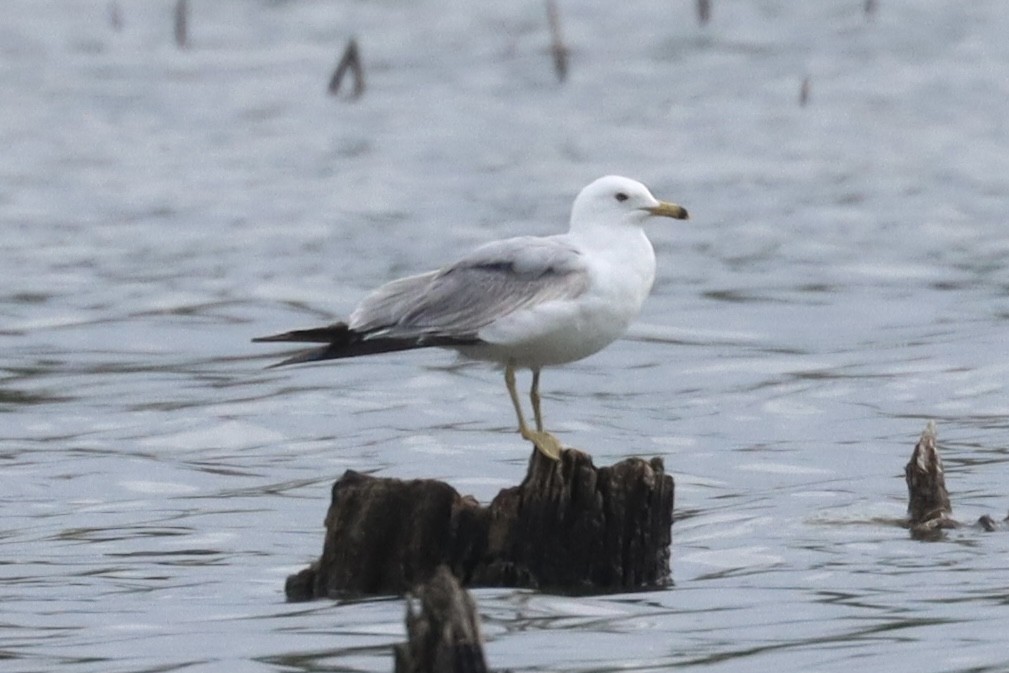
pixel 615 200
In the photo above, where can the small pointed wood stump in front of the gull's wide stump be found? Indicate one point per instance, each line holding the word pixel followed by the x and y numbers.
pixel 445 636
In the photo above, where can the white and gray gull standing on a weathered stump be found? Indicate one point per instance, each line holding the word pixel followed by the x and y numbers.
pixel 528 302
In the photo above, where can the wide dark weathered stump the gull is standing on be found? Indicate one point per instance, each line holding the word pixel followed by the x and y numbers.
pixel 569 527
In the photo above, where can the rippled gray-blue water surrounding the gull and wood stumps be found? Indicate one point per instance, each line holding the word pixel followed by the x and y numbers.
pixel 844 279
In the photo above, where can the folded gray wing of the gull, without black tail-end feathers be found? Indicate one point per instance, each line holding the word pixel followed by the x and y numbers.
pixel 494 281
